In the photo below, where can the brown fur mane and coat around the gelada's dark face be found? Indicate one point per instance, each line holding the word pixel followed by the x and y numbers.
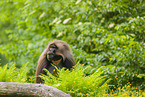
pixel 63 50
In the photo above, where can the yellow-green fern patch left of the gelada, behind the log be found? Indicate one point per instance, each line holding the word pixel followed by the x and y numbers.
pixel 9 73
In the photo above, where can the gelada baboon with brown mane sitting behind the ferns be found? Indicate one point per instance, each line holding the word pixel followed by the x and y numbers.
pixel 59 54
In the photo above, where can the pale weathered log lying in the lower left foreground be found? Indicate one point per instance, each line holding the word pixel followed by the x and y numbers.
pixel 11 89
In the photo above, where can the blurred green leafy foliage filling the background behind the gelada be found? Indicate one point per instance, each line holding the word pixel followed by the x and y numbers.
pixel 108 33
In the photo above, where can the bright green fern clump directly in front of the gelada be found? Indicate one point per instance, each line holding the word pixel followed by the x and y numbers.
pixel 76 83
